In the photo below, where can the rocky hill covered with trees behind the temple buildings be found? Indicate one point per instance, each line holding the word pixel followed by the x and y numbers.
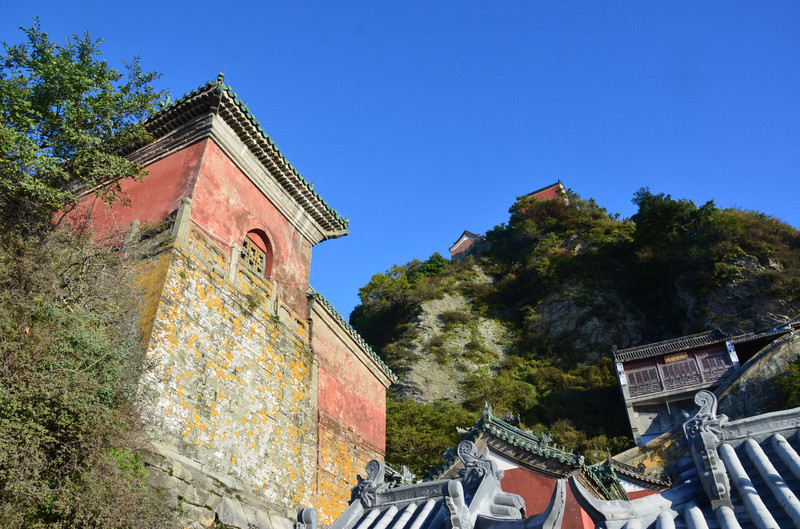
pixel 529 320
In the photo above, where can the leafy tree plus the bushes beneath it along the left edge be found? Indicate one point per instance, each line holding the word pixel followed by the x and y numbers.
pixel 70 436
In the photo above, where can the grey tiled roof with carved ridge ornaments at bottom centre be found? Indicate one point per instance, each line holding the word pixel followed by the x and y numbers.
pixel 472 501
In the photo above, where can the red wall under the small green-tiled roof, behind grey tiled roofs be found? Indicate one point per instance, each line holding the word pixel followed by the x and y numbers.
pixel 537 490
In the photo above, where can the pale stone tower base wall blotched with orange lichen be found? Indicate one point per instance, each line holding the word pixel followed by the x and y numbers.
pixel 230 394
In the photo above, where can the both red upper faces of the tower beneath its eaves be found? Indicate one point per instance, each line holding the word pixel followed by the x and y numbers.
pixel 225 204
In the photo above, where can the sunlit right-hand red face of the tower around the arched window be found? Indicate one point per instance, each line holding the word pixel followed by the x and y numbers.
pixel 228 205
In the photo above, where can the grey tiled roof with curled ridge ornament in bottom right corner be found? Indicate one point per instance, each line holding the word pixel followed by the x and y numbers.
pixel 741 474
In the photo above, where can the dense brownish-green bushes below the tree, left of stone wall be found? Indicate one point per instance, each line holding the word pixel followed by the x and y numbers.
pixel 69 361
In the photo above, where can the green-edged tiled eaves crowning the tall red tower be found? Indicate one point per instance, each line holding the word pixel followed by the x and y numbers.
pixel 219 99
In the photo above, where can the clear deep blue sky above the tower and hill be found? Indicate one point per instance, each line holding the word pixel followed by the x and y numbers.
pixel 419 119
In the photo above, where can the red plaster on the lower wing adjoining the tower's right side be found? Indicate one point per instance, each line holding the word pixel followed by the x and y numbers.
pixel 348 391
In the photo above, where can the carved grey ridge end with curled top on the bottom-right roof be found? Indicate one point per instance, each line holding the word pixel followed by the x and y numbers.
pixel 704 434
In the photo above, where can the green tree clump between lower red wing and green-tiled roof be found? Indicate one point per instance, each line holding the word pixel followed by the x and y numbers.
pixel 417 435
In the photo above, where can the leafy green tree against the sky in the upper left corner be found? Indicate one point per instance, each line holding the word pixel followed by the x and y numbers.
pixel 65 115
